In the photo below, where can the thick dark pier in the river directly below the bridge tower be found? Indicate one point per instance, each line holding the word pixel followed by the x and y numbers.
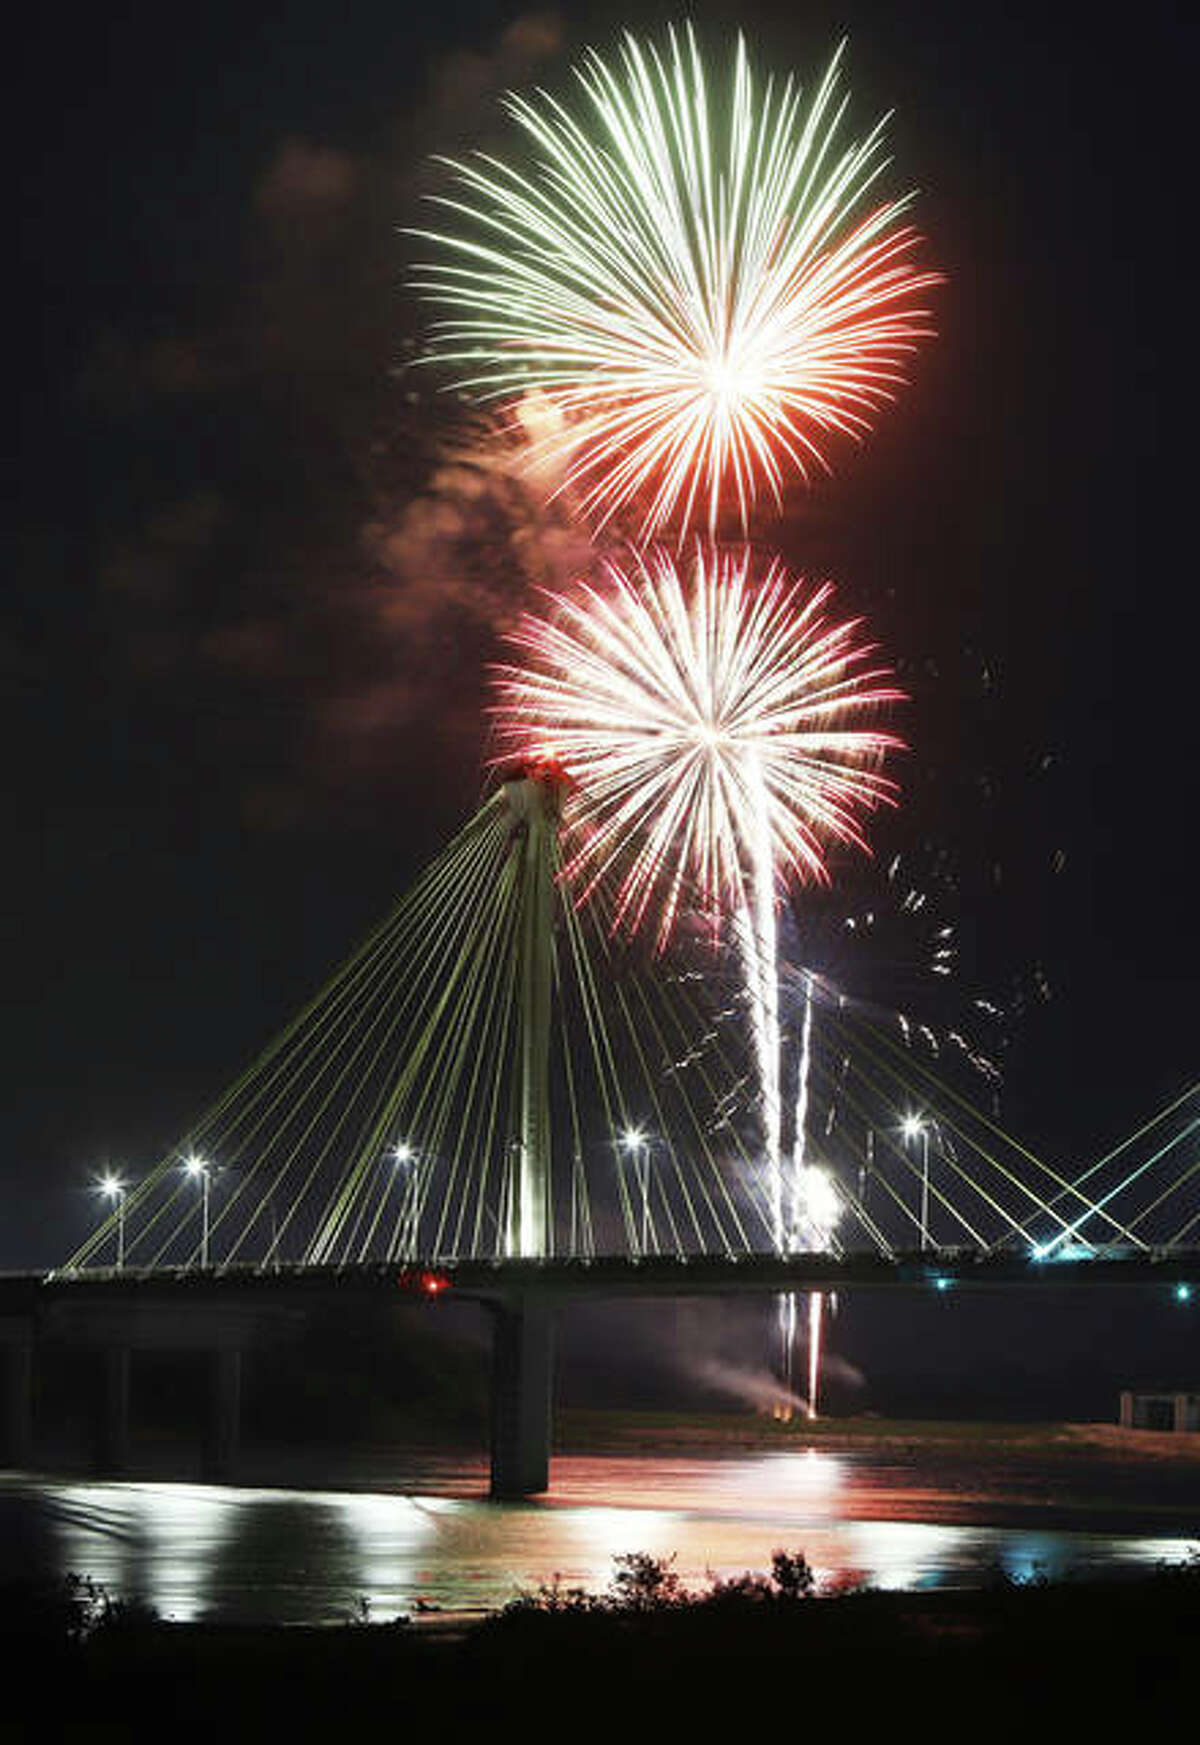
pixel 522 1381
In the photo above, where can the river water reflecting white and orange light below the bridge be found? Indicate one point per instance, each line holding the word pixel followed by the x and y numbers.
pixel 440 1547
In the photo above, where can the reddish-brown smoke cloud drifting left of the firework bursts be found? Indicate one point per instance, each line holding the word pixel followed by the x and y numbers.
pixel 353 540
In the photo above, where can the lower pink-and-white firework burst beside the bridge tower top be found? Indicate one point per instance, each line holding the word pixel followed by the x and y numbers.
pixel 718 732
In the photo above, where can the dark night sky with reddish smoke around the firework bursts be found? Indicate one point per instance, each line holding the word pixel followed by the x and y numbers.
pixel 247 629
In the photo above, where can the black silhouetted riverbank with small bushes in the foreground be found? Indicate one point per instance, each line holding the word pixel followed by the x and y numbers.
pixel 754 1653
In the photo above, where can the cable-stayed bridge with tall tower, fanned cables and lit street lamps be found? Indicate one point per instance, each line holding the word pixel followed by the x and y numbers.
pixel 496 1095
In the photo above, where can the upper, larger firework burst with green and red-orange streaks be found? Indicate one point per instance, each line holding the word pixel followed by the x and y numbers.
pixel 709 289
